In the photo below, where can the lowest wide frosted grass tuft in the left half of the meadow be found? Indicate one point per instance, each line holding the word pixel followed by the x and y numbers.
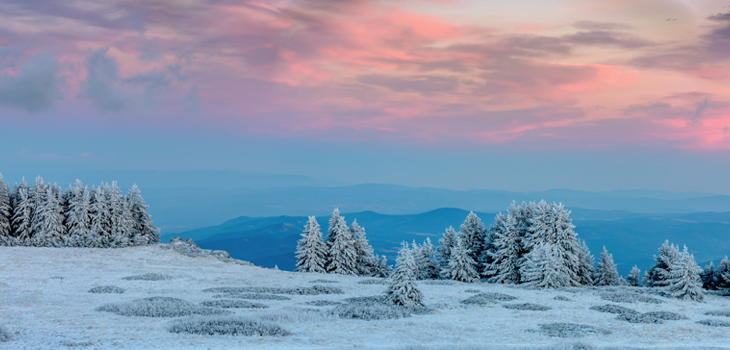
pixel 226 325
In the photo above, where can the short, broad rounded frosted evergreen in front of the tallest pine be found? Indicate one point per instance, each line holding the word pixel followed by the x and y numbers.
pixel 544 267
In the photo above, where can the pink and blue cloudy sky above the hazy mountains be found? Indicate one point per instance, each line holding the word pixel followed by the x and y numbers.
pixel 463 94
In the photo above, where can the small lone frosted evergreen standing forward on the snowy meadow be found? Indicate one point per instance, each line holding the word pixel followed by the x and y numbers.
pixel 403 289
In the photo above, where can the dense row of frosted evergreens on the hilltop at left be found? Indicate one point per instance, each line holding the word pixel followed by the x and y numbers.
pixel 44 215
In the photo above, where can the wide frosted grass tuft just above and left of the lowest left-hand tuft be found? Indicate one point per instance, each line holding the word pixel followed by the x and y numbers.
pixel 160 307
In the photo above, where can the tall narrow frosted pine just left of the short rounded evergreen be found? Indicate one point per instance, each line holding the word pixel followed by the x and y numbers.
pixel 505 267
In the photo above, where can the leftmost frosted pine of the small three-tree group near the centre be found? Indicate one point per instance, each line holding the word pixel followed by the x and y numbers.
pixel 311 249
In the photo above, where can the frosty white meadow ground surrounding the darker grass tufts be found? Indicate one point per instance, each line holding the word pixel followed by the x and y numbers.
pixel 45 304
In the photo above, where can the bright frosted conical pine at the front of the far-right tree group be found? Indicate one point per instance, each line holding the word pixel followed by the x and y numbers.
pixel 684 279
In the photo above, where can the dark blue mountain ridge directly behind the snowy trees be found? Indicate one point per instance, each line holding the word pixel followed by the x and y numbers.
pixel 632 238
